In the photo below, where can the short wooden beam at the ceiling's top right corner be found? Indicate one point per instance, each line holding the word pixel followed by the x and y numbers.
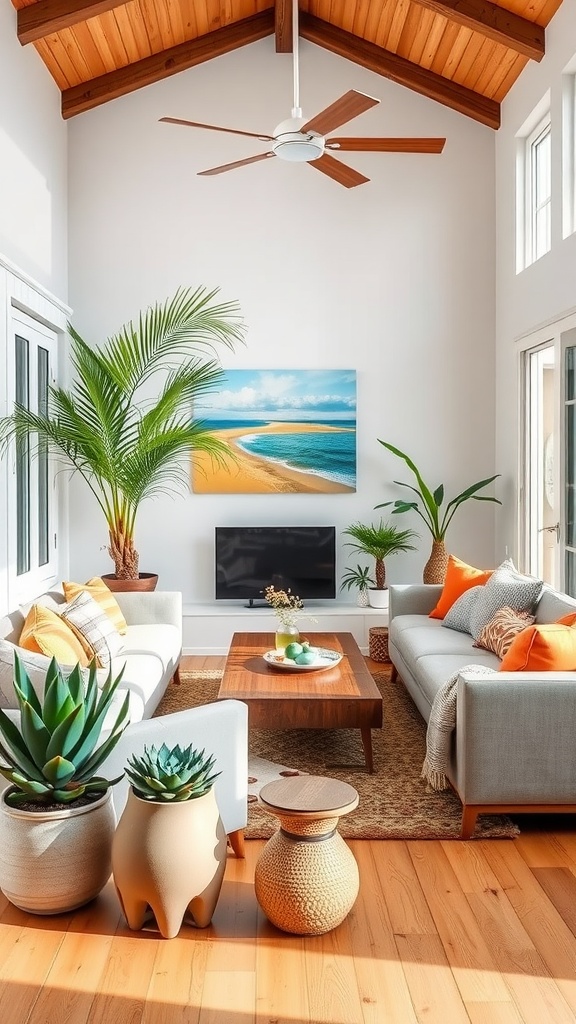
pixel 502 26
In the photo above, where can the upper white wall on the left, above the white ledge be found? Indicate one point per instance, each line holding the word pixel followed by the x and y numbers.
pixel 33 163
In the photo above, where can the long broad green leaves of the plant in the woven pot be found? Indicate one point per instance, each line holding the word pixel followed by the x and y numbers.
pixel 430 503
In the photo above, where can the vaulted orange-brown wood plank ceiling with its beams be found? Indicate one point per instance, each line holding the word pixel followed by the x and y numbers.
pixel 464 54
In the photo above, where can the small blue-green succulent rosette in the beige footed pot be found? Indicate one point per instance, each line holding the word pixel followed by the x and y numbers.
pixel 177 775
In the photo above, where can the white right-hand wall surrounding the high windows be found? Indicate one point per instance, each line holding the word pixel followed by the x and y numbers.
pixel 546 290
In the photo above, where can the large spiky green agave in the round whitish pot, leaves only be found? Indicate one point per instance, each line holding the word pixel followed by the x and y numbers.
pixel 53 757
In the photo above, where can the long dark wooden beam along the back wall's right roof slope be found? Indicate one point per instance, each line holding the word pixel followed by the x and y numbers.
pixel 400 70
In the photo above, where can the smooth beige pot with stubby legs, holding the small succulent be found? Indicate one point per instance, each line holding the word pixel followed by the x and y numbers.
pixel 171 858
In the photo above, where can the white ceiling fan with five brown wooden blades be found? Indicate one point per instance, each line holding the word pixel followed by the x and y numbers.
pixel 301 141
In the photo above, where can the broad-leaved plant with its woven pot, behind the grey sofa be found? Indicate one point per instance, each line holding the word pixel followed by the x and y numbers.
pixel 437 517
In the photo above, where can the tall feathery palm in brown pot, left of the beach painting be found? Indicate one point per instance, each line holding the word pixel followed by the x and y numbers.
pixel 126 445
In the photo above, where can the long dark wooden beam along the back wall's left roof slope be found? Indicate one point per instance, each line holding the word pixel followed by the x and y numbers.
pixel 159 66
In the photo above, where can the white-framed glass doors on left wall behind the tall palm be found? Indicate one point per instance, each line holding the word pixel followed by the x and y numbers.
pixel 32 496
